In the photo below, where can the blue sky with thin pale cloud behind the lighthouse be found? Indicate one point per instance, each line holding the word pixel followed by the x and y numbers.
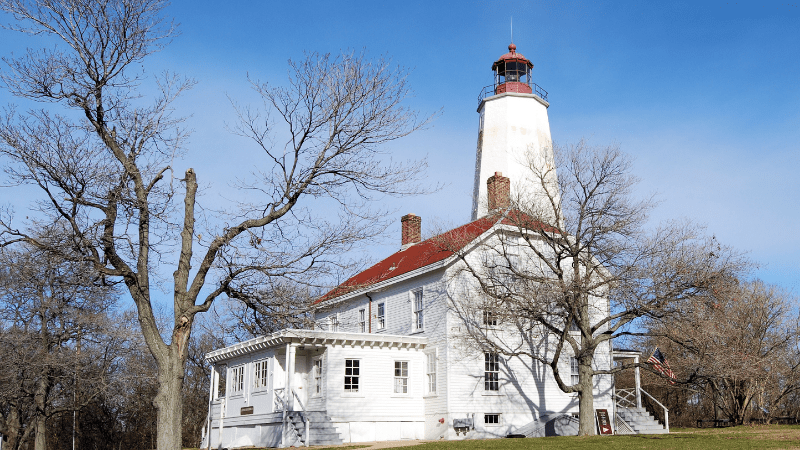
pixel 704 95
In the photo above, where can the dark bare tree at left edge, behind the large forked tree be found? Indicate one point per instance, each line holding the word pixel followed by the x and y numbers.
pixel 48 307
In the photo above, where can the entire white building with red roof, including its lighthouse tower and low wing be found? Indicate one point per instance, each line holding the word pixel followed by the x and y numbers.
pixel 386 358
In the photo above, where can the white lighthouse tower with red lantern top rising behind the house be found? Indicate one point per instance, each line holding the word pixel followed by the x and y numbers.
pixel 514 137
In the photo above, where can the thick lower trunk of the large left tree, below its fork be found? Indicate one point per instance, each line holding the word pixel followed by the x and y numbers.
pixel 169 401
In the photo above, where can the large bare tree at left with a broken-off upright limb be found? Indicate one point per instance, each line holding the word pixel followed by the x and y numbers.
pixel 101 159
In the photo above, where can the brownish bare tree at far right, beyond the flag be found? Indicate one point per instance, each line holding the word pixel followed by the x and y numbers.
pixel 737 349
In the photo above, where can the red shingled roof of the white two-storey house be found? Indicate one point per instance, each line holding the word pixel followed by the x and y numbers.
pixel 423 254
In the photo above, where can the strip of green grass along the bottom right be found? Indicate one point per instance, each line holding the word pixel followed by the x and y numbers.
pixel 745 437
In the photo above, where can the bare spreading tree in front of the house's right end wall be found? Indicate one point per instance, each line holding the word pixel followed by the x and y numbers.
pixel 574 266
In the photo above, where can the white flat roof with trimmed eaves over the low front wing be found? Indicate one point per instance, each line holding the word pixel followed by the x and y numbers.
pixel 315 338
